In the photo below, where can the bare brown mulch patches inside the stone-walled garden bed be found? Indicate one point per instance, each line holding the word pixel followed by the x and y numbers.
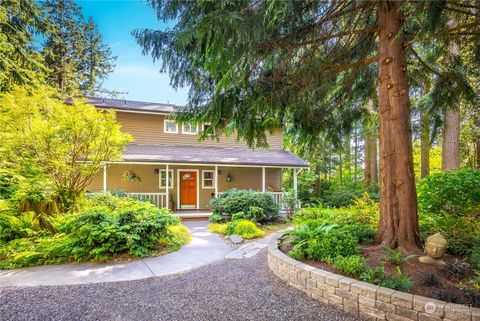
pixel 444 285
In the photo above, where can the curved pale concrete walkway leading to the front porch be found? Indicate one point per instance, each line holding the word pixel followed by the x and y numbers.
pixel 204 249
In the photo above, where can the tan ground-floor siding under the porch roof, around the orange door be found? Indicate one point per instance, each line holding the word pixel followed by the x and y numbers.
pixel 242 178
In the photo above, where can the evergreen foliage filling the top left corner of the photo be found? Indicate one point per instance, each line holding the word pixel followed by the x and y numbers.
pixel 20 63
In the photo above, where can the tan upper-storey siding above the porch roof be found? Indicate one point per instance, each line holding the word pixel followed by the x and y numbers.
pixel 149 129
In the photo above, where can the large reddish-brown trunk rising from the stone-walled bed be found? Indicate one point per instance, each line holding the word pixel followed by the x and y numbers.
pixel 398 199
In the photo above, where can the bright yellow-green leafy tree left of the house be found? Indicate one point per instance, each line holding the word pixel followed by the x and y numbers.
pixel 64 144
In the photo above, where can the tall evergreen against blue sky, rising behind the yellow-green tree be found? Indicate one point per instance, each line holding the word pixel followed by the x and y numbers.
pixel 74 51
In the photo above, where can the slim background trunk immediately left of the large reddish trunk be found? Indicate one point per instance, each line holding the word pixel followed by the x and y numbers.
pixel 371 169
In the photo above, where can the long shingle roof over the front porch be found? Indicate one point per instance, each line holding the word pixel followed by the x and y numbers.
pixel 211 155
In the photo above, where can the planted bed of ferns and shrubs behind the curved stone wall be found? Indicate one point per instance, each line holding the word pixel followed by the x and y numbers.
pixel 342 241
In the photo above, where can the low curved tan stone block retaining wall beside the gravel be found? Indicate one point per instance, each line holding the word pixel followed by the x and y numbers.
pixel 365 300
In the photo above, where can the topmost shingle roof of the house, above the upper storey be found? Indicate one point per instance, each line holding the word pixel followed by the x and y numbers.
pixel 129 105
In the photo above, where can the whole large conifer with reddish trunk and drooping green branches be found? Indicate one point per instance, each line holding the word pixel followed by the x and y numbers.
pixel 256 65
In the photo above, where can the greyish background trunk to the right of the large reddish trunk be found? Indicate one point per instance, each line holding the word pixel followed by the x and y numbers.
pixel 451 140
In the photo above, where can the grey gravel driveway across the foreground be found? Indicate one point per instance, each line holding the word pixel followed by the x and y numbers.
pixel 229 290
